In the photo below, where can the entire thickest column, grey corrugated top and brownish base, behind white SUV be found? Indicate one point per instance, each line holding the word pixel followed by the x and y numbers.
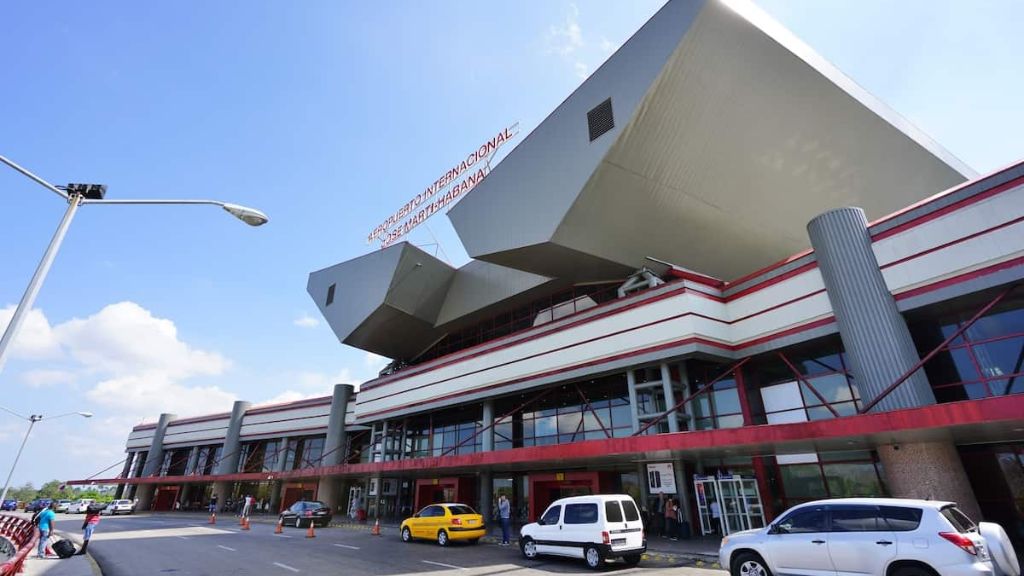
pixel 880 350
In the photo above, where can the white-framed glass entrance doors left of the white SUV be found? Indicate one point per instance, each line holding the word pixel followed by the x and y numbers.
pixel 729 505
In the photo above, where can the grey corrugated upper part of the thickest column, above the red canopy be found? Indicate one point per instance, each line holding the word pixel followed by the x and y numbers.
pixel 876 338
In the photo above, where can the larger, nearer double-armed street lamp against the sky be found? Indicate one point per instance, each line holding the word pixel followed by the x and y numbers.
pixel 80 195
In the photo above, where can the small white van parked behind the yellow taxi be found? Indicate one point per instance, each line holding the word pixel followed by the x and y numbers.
pixel 594 528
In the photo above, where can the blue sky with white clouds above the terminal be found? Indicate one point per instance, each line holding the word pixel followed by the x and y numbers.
pixel 328 116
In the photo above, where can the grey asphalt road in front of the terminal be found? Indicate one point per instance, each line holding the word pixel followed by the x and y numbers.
pixel 142 546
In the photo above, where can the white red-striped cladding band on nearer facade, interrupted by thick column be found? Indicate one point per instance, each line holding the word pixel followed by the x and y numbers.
pixel 799 300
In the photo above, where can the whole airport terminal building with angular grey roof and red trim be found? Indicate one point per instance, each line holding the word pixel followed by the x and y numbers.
pixel 718 271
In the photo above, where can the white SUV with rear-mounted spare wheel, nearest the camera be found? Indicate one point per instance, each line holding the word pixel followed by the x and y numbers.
pixel 889 537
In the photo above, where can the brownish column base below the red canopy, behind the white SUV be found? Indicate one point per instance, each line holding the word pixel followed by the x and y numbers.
pixel 928 471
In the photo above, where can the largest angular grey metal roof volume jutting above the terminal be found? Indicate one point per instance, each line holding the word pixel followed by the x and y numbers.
pixel 730 136
